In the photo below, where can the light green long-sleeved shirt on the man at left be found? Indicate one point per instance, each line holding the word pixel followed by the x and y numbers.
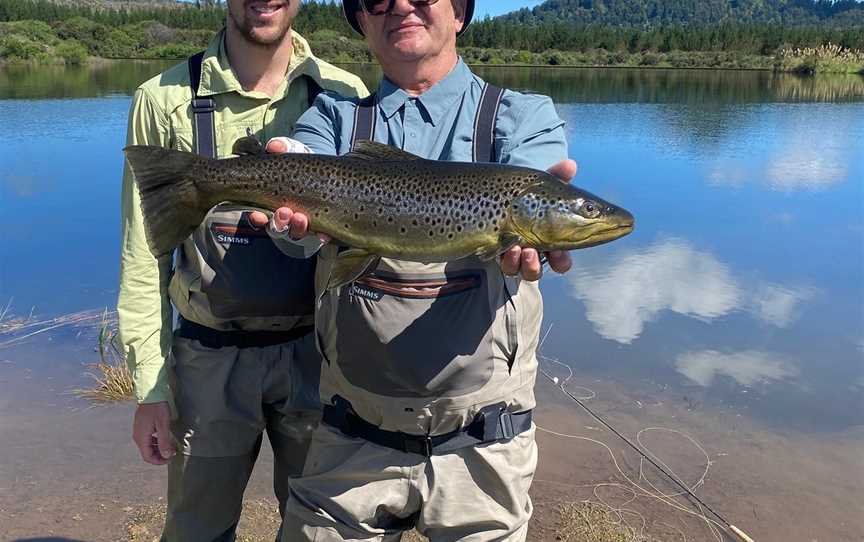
pixel 161 115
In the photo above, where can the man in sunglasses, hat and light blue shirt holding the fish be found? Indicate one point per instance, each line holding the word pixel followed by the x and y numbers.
pixel 429 369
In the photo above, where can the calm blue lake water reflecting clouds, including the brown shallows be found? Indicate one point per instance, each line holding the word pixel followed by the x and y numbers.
pixel 734 312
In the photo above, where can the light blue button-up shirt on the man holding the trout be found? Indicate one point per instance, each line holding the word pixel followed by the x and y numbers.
pixel 439 124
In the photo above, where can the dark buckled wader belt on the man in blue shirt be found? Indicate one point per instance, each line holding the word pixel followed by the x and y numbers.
pixel 492 424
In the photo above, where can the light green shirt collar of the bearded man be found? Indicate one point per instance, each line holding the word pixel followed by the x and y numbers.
pixel 217 77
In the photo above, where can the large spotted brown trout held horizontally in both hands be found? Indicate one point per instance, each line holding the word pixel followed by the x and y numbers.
pixel 378 200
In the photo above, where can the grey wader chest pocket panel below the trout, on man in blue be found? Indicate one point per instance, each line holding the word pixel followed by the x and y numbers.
pixel 416 337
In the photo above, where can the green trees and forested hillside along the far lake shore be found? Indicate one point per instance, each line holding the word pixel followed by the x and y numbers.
pixel 798 35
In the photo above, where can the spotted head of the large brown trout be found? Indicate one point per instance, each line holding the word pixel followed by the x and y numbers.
pixel 553 215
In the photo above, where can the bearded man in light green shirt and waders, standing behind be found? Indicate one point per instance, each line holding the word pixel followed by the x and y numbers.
pixel 241 359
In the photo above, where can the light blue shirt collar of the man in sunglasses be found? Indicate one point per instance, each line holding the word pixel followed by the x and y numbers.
pixel 436 101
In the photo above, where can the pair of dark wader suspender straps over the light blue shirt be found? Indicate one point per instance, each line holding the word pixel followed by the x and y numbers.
pixel 483 149
